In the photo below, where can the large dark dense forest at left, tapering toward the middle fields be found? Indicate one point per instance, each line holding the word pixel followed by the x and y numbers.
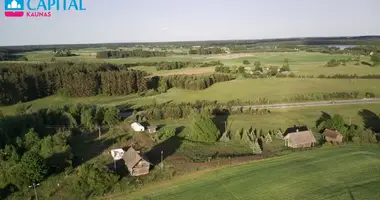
pixel 26 82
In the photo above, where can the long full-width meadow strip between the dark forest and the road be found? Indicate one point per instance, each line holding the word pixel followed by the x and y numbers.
pixel 274 89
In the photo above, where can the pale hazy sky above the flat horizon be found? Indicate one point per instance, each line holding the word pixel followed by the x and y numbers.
pixel 106 21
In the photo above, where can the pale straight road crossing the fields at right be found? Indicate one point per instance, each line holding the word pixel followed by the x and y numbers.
pixel 309 104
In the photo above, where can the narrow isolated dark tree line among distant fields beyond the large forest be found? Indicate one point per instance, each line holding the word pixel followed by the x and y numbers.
pixel 129 53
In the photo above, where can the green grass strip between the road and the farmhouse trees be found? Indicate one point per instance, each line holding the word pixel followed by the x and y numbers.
pixel 284 118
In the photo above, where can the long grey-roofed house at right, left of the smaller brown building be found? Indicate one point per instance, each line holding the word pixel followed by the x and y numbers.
pixel 300 139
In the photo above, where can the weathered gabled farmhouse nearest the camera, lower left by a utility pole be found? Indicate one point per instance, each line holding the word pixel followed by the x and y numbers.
pixel 136 163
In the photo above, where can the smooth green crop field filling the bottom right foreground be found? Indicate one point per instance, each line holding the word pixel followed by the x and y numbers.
pixel 348 172
